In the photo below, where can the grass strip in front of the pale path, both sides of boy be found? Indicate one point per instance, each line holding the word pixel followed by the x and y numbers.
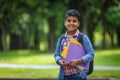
pixel 49 73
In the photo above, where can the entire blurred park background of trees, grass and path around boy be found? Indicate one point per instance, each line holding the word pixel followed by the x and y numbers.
pixel 29 31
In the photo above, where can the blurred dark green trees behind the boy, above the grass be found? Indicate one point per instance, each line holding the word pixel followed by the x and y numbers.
pixel 37 24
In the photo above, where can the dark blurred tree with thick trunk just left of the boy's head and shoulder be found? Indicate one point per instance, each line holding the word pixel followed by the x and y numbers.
pixel 55 7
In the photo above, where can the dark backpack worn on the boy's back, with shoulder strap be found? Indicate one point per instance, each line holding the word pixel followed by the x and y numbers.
pixel 80 39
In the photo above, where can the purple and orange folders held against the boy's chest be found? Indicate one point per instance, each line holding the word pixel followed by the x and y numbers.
pixel 74 50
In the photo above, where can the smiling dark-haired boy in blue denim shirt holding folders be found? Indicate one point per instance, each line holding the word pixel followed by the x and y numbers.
pixel 68 71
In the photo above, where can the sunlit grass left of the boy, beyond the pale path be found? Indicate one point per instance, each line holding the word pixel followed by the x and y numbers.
pixel 26 57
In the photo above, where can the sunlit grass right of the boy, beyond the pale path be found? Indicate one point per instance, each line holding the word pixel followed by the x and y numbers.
pixel 107 57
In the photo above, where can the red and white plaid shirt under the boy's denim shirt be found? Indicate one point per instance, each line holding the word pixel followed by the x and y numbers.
pixel 69 70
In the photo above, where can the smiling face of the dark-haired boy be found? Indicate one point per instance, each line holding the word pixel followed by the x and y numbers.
pixel 71 23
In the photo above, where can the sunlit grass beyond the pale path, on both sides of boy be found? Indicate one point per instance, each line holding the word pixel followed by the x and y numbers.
pixel 102 57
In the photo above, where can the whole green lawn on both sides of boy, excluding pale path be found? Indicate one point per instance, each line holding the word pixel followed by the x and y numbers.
pixel 102 57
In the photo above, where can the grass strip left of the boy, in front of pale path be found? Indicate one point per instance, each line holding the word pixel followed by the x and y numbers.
pixel 28 73
